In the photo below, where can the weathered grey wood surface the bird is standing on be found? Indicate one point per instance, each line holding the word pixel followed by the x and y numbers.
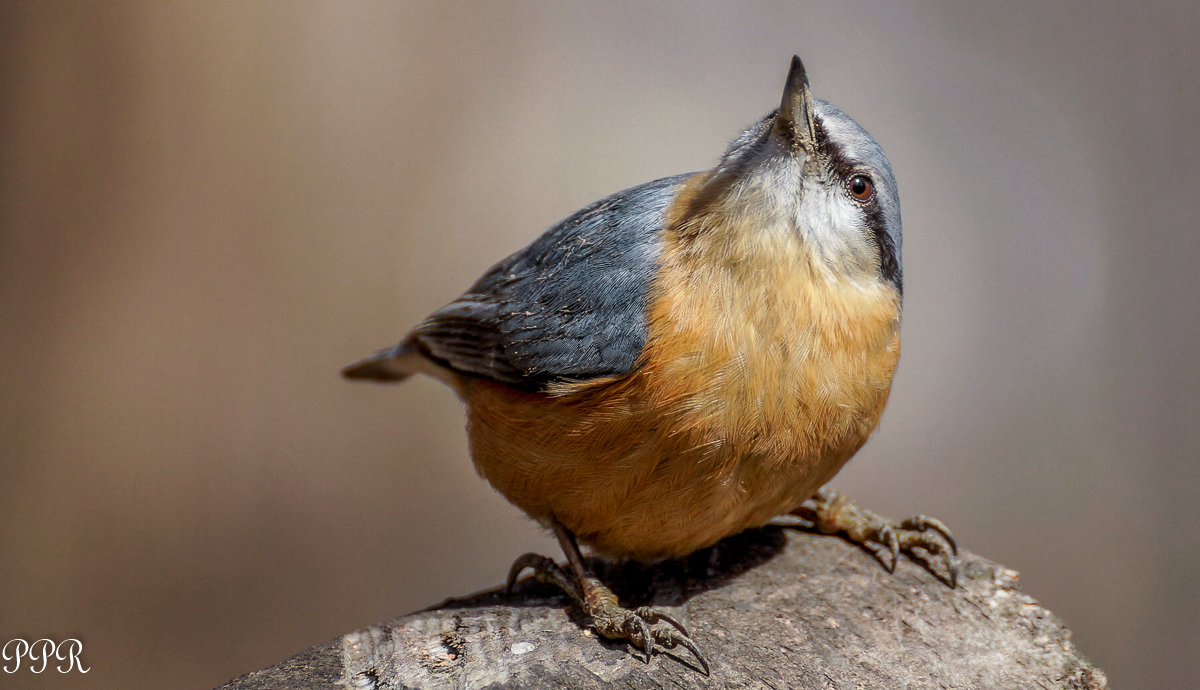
pixel 772 608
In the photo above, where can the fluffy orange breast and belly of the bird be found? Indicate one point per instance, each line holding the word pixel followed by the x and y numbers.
pixel 759 381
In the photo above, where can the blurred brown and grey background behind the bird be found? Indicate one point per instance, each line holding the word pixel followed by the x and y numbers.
pixel 207 209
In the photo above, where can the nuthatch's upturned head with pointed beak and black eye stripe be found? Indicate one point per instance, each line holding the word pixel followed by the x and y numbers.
pixel 806 175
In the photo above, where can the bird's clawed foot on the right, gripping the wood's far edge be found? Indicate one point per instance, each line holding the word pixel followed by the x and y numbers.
pixel 923 537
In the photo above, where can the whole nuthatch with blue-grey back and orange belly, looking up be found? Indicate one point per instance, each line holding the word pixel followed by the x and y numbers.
pixel 688 359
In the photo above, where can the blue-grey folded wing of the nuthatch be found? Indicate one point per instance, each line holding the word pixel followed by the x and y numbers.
pixel 571 307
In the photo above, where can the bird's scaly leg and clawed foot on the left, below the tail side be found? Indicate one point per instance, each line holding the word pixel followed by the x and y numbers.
pixel 601 604
